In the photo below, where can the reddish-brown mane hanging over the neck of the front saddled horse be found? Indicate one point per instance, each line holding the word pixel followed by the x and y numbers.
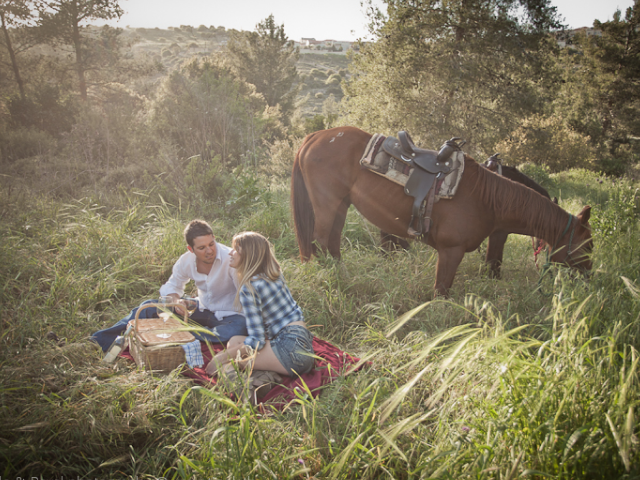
pixel 506 197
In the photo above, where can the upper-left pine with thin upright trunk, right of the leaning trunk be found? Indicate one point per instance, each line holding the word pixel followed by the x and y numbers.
pixel 62 20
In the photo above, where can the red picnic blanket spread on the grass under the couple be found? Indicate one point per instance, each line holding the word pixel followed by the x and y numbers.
pixel 334 363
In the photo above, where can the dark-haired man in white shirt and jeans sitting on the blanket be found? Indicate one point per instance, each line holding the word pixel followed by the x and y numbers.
pixel 206 263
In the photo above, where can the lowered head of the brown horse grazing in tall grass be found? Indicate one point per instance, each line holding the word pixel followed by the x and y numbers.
pixel 575 245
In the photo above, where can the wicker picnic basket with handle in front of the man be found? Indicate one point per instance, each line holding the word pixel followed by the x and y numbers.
pixel 153 352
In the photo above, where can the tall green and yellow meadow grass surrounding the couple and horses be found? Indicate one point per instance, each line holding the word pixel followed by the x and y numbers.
pixel 497 382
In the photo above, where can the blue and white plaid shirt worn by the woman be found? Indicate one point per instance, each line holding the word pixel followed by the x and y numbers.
pixel 268 311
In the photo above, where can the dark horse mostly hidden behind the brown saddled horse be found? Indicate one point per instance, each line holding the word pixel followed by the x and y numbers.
pixel 497 240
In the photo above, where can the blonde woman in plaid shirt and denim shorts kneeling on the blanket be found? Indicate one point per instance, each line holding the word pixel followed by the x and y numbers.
pixel 277 332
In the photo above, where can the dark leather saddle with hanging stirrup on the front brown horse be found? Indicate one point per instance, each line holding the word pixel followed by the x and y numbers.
pixel 429 168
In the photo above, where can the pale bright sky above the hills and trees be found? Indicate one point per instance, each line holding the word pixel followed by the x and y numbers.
pixel 323 20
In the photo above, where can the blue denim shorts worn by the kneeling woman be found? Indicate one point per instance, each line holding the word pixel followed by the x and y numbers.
pixel 293 346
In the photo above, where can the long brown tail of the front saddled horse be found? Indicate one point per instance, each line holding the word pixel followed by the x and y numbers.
pixel 303 217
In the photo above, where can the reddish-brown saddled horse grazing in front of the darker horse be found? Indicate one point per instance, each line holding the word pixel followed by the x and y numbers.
pixel 327 178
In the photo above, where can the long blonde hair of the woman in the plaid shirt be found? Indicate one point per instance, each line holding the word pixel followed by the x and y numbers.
pixel 256 258
